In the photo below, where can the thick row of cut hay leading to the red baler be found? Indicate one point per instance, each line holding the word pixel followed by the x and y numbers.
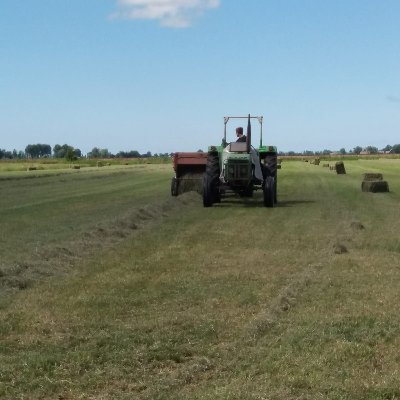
pixel 53 261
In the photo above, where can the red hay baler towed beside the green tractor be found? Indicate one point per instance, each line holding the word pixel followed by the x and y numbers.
pixel 189 169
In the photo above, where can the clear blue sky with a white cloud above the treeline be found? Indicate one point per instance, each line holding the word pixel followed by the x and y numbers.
pixel 160 75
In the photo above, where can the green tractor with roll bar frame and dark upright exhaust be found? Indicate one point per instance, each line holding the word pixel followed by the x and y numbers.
pixel 240 168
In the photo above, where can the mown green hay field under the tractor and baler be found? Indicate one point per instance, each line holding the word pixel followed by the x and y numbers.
pixel 112 289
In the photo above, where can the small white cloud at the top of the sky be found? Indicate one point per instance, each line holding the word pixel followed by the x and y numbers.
pixel 170 13
